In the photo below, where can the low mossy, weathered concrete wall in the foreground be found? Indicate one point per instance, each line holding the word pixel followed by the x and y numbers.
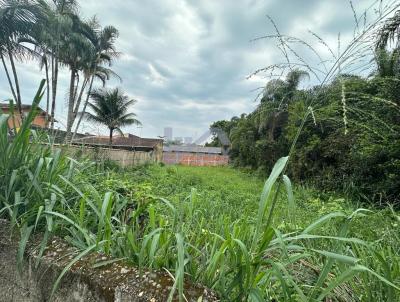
pixel 82 282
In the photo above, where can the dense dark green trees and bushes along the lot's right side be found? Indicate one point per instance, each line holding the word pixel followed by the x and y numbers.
pixel 361 156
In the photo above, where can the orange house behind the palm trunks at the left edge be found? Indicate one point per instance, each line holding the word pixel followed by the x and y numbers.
pixel 40 121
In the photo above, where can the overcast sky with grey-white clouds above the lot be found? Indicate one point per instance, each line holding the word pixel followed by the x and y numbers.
pixel 186 61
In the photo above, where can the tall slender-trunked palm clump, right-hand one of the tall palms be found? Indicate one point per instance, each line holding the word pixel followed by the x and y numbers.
pixel 64 39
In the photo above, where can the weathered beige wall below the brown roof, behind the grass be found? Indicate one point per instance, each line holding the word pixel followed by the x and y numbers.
pixel 125 158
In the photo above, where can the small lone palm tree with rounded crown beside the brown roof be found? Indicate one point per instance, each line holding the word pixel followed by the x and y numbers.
pixel 110 108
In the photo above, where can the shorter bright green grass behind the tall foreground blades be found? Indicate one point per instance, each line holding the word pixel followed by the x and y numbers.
pixel 223 193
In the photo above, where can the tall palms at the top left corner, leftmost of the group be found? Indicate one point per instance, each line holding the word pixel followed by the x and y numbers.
pixel 49 26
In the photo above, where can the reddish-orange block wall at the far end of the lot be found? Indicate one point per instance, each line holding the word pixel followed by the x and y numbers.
pixel 195 159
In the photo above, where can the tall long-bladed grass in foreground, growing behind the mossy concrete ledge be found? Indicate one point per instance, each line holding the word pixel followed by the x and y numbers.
pixel 243 259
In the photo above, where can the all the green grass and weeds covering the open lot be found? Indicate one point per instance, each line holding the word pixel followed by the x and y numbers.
pixel 208 225
